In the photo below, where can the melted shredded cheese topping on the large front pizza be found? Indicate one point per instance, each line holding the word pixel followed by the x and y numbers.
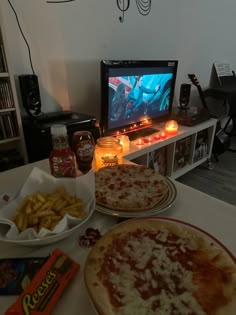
pixel 147 278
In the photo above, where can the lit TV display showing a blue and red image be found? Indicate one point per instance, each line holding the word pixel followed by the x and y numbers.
pixel 133 98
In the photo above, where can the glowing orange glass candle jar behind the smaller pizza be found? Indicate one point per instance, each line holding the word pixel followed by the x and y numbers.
pixel 108 152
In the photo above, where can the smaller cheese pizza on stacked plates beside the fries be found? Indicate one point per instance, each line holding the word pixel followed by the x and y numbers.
pixel 129 187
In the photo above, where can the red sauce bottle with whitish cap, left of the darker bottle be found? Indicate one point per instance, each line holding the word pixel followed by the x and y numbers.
pixel 62 158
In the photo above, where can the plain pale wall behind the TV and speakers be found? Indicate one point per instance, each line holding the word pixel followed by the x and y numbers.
pixel 67 42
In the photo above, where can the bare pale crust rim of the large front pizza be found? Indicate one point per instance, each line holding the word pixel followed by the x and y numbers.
pixel 99 293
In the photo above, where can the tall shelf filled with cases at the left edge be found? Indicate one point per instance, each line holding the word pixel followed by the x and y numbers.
pixel 12 140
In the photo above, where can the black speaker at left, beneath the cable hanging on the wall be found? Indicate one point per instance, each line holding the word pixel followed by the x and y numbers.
pixel 30 94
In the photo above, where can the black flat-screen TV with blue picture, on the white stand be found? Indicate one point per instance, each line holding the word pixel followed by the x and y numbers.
pixel 135 95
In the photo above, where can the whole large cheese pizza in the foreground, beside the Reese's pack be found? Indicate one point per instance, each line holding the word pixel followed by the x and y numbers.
pixel 160 266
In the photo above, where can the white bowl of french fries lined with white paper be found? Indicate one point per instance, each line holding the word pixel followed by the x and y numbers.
pixel 47 209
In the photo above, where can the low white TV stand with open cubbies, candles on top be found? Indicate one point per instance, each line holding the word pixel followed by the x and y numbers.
pixel 195 142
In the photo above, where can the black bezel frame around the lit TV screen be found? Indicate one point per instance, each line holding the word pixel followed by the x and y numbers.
pixel 106 66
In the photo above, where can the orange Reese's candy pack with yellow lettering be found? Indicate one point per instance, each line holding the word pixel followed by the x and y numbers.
pixel 43 292
